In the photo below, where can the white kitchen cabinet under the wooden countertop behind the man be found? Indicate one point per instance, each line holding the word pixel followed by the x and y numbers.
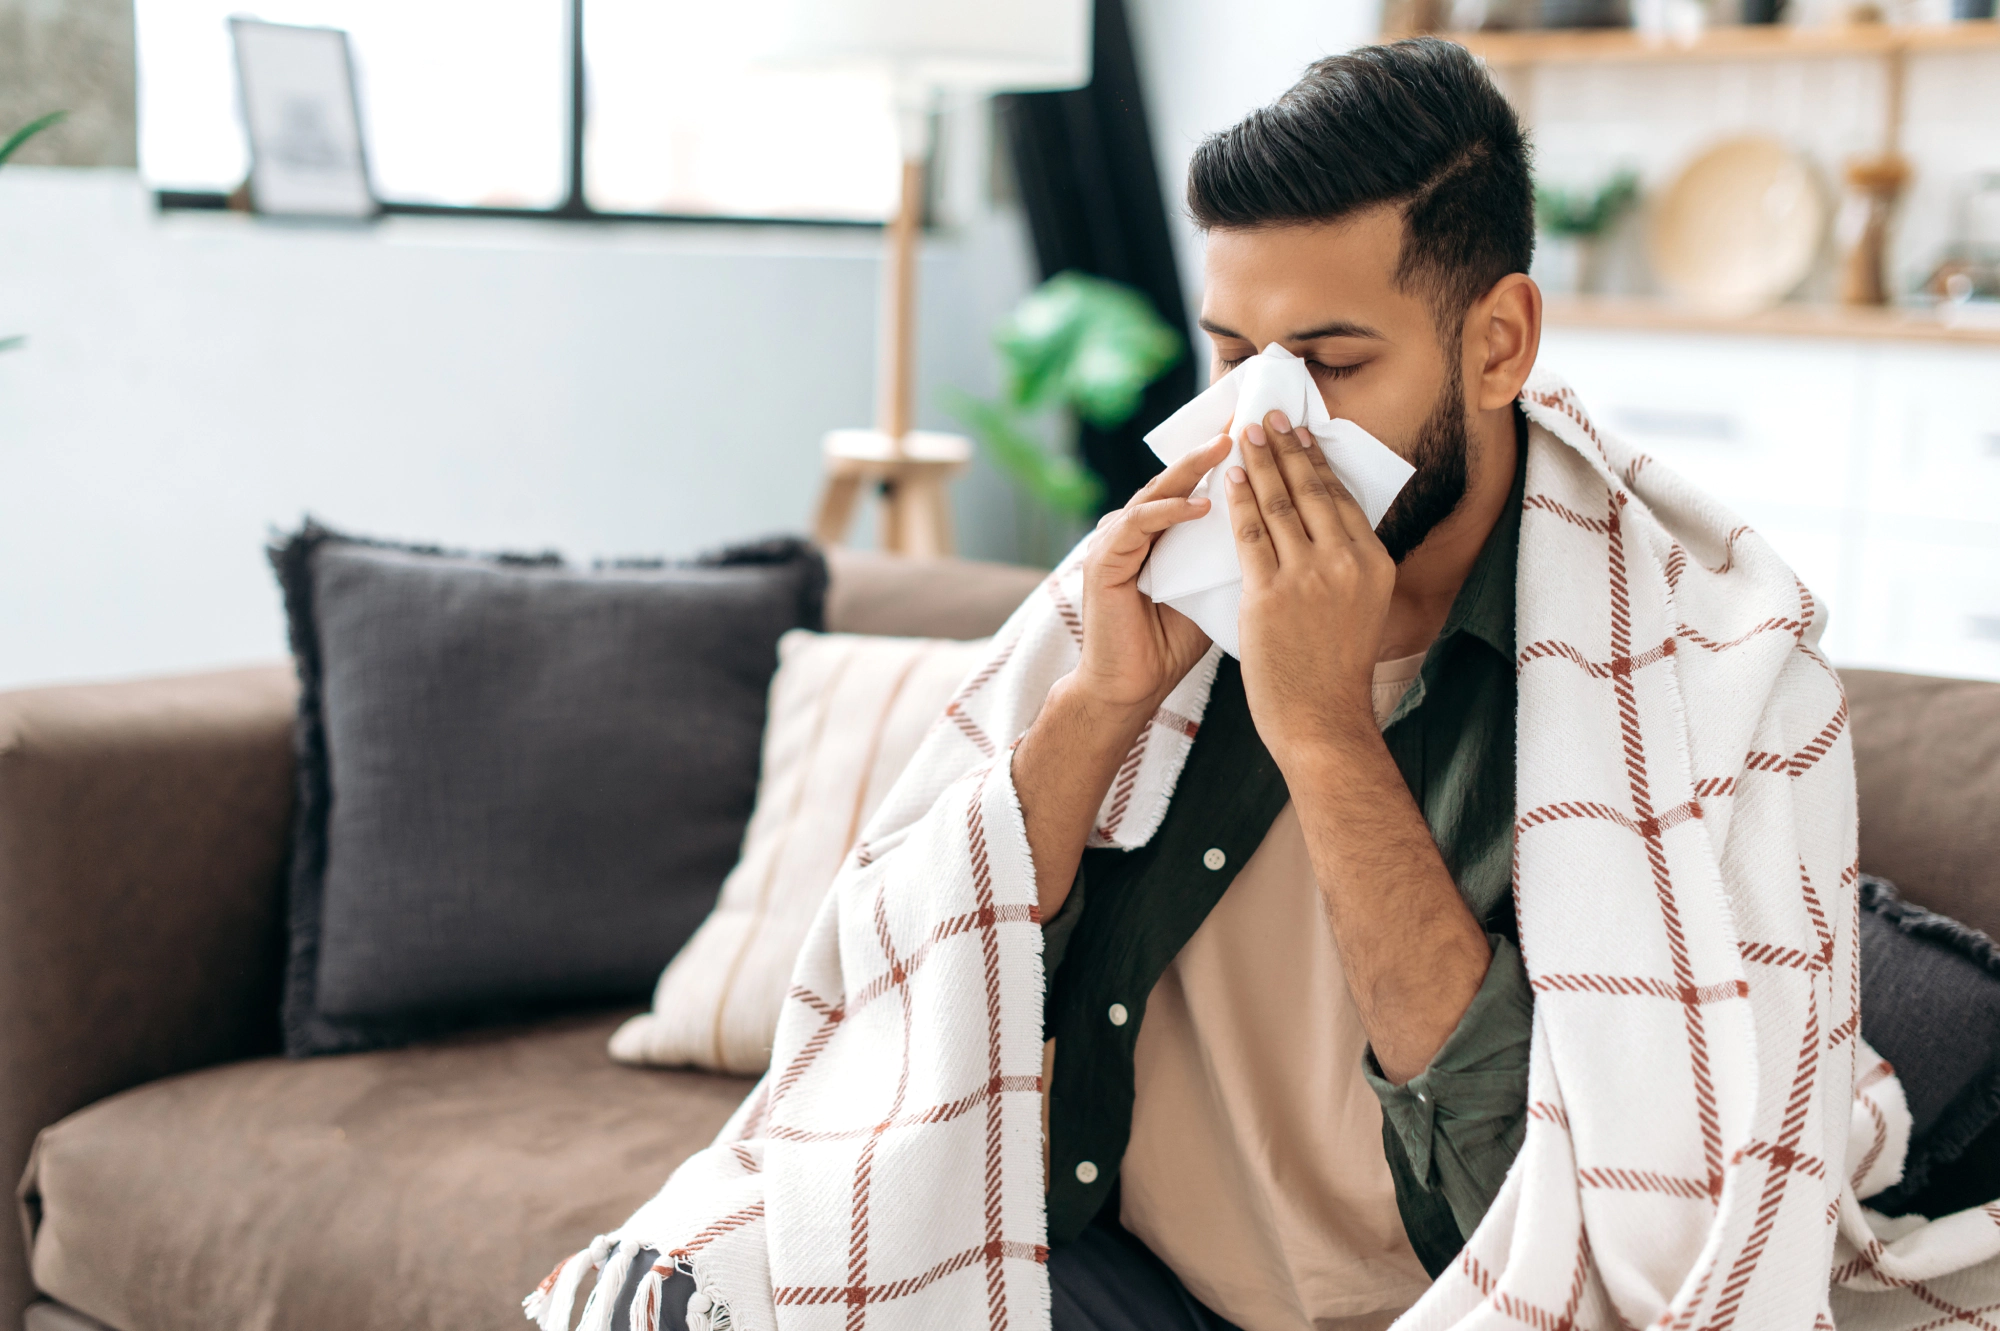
pixel 1873 469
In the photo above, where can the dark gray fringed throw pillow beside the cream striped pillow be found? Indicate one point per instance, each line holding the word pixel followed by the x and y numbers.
pixel 521 784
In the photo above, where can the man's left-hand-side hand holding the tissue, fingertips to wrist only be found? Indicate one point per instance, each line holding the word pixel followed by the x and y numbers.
pixel 1135 651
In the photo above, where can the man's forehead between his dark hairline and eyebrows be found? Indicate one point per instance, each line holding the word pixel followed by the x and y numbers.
pixel 1293 281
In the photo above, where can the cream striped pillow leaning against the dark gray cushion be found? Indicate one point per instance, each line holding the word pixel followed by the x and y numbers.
pixel 847 712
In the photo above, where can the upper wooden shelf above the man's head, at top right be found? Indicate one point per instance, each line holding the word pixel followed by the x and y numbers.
pixel 1735 43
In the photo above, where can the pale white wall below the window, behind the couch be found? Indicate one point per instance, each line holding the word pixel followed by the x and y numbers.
pixel 195 381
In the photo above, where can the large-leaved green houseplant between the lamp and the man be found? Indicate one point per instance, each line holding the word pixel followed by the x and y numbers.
pixel 1077 349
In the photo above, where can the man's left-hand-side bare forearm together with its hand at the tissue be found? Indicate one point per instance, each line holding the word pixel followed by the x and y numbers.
pixel 1135 655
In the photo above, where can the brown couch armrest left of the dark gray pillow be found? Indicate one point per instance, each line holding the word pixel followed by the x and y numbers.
pixel 143 828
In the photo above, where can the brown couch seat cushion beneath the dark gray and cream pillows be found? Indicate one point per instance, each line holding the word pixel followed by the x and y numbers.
pixel 411 1190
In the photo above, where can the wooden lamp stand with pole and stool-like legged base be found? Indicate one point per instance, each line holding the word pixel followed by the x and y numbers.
pixel 909 469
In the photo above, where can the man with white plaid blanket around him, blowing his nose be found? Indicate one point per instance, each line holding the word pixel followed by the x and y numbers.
pixel 1479 946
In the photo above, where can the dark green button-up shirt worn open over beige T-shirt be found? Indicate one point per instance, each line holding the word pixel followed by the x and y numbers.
pixel 1451 1132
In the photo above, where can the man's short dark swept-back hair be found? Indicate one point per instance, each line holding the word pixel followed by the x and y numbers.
pixel 1417 125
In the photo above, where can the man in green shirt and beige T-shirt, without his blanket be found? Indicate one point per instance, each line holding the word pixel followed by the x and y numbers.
pixel 1377 223
